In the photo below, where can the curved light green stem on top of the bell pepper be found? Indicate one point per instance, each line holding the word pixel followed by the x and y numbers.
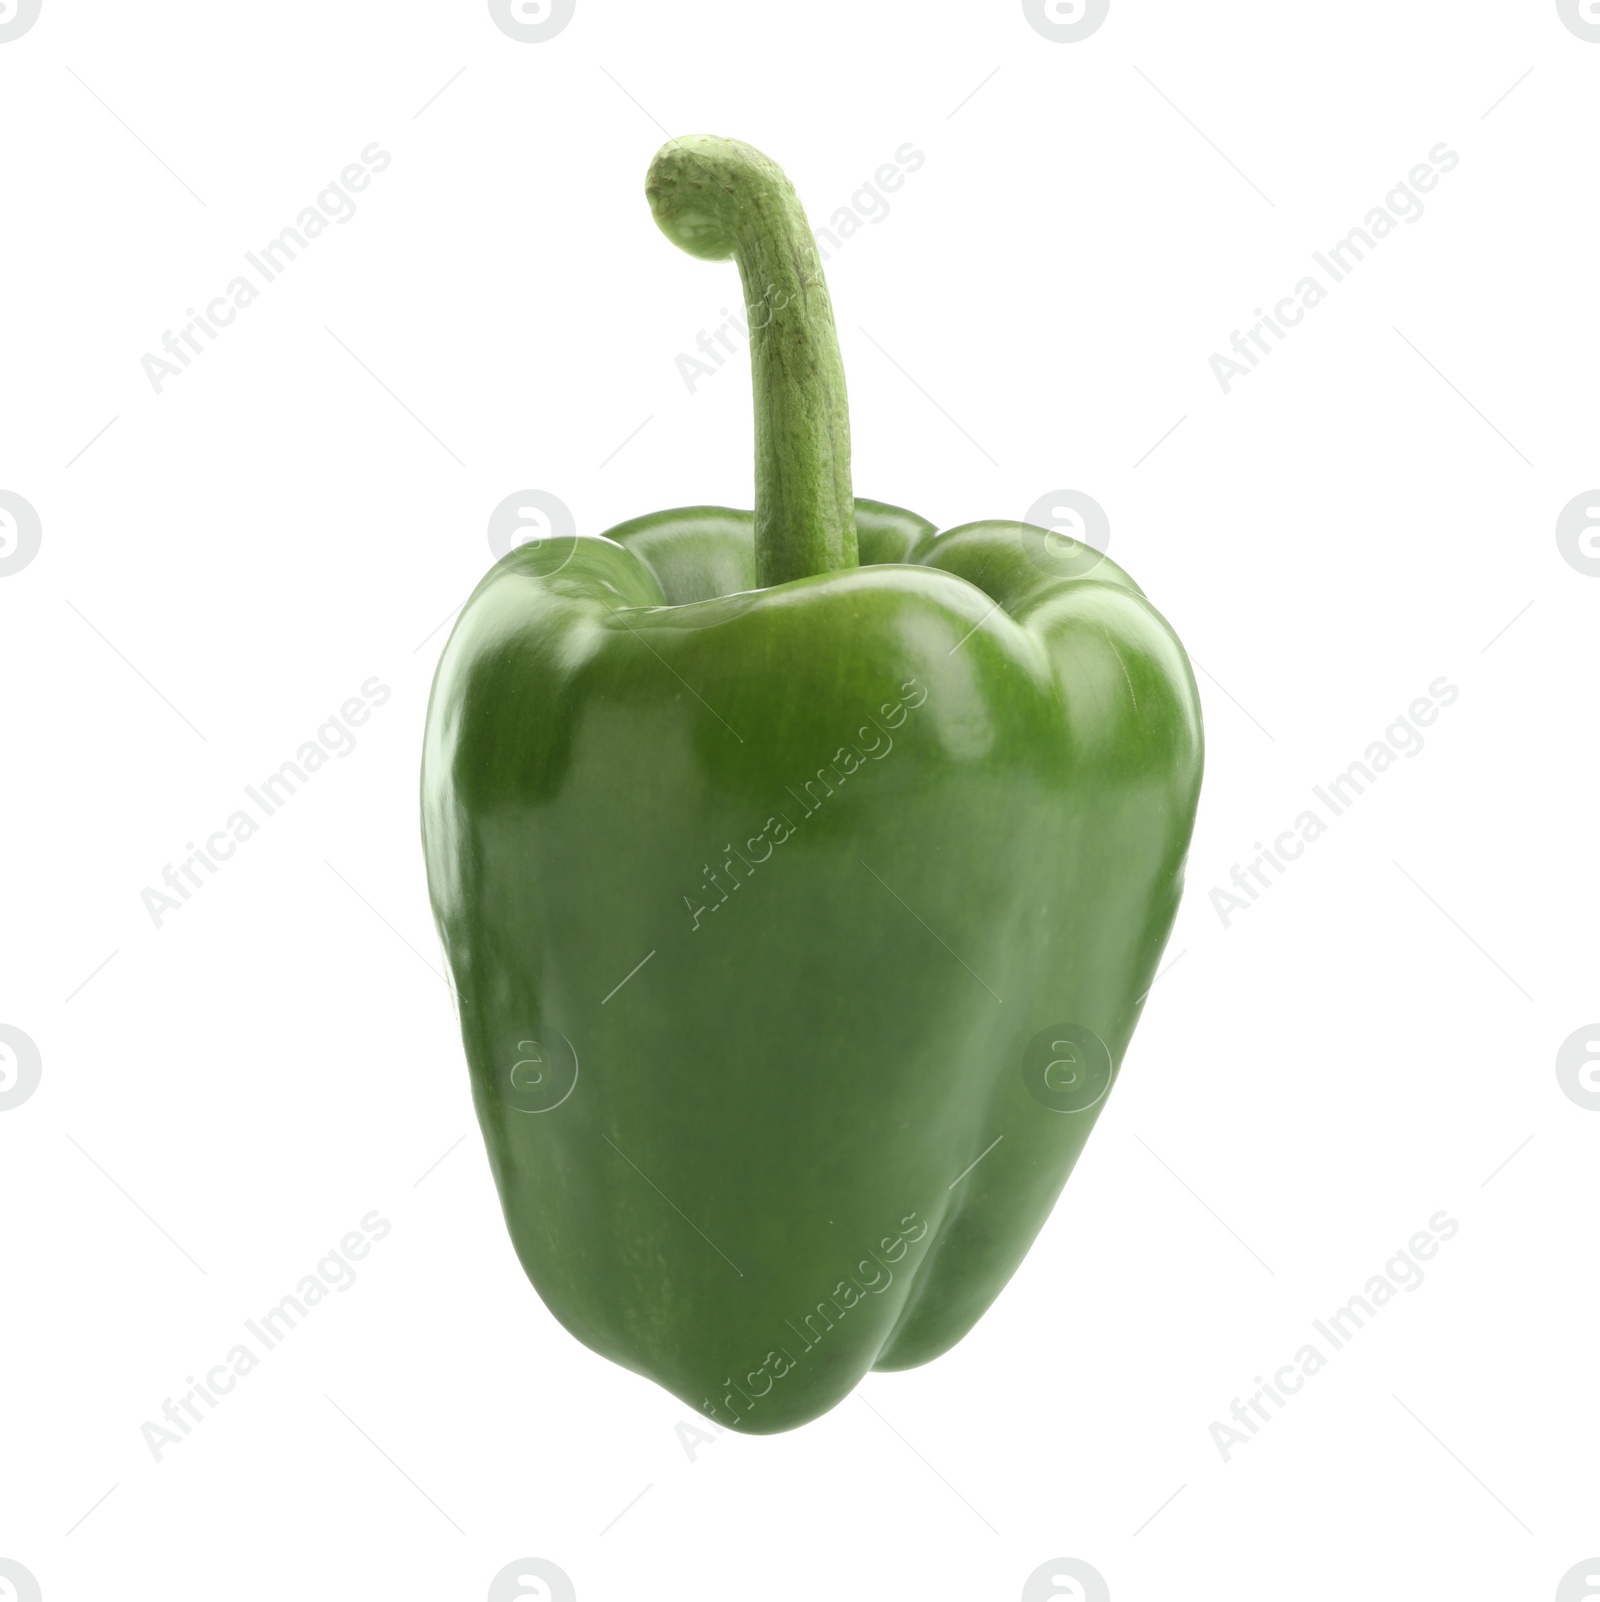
pixel 718 199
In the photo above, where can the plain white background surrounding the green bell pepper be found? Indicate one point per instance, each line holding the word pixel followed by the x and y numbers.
pixel 1375 1040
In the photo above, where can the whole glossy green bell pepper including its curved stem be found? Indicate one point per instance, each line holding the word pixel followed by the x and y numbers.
pixel 802 877
